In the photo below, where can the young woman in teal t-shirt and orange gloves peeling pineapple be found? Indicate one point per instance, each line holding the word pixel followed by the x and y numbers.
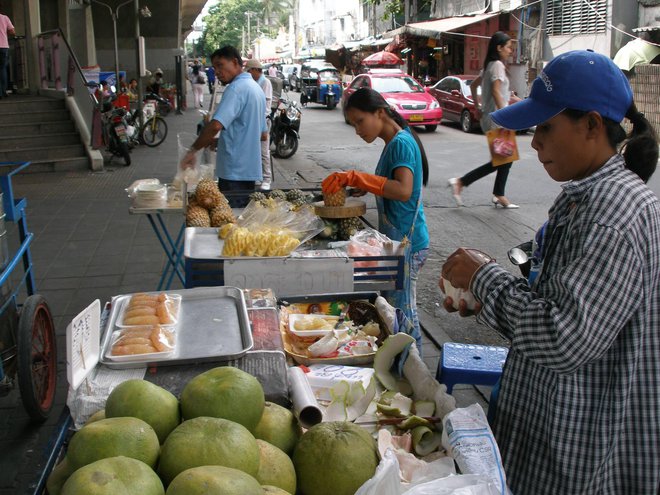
pixel 401 172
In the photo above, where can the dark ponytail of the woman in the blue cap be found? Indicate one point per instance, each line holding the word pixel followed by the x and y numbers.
pixel 640 151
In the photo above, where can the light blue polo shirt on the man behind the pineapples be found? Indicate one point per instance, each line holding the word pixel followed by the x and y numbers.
pixel 241 112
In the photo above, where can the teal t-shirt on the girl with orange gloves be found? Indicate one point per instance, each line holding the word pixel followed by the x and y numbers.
pixel 402 151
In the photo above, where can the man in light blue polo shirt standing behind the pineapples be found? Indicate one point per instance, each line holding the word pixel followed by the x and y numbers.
pixel 239 119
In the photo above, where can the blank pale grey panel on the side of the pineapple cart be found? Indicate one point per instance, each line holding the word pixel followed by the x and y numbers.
pixel 291 276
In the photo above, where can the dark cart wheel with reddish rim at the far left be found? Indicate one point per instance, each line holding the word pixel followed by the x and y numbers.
pixel 37 358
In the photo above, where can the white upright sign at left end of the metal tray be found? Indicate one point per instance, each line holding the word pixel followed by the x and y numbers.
pixel 83 344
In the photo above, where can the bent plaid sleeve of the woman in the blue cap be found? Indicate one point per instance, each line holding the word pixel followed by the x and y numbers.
pixel 579 310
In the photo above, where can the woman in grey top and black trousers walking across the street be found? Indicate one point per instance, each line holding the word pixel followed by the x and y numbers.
pixel 495 94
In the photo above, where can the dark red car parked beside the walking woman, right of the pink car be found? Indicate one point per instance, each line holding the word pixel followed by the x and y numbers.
pixel 455 98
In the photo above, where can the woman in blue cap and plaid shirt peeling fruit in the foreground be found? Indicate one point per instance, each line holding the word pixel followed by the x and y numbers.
pixel 580 393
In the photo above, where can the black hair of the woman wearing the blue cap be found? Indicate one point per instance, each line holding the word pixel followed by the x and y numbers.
pixel 639 148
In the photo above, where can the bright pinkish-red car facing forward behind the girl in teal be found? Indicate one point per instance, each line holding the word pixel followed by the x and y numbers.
pixel 401 91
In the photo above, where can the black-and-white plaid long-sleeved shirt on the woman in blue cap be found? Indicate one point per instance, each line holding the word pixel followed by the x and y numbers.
pixel 579 405
